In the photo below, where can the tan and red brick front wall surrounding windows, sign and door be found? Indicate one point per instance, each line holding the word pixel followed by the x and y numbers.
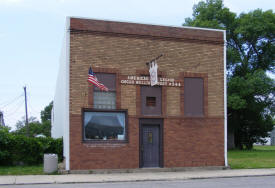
pixel 186 141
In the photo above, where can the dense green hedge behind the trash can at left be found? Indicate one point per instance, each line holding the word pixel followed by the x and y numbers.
pixel 18 149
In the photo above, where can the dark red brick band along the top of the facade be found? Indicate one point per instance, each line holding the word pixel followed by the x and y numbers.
pixel 130 28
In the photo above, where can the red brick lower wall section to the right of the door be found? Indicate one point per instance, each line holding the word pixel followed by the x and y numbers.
pixel 193 142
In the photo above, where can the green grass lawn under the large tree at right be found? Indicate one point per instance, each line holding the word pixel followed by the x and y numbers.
pixel 259 157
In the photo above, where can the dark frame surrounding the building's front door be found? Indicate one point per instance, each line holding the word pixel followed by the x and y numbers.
pixel 151 121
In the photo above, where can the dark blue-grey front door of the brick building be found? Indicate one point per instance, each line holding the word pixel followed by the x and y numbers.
pixel 150 146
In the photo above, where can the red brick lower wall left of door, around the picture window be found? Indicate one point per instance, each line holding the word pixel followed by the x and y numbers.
pixel 103 155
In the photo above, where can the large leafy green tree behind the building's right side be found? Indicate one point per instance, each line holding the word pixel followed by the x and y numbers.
pixel 250 54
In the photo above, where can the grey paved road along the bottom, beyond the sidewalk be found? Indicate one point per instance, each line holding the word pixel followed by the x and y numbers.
pixel 239 182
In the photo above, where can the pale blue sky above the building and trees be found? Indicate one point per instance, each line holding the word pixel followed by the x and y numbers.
pixel 32 31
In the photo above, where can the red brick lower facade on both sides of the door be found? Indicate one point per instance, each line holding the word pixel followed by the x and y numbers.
pixel 188 142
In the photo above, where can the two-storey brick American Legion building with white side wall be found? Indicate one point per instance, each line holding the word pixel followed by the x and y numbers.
pixel 180 122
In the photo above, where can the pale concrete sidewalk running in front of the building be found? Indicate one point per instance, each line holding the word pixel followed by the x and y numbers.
pixel 128 177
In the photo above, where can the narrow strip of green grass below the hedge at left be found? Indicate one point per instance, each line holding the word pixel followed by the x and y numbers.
pixel 21 170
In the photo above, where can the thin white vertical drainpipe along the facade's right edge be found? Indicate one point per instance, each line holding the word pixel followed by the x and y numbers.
pixel 225 102
